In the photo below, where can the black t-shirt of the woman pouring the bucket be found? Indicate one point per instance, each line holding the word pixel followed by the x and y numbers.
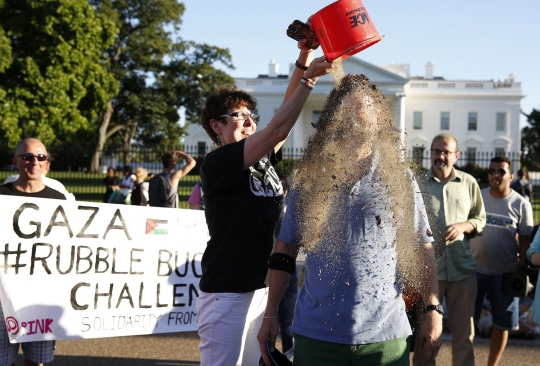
pixel 242 208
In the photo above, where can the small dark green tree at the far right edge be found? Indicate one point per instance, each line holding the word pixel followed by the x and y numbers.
pixel 530 141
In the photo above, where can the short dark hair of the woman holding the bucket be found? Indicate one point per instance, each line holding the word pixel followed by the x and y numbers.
pixel 219 102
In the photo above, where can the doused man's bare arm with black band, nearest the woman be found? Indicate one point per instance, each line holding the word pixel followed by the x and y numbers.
pixel 278 282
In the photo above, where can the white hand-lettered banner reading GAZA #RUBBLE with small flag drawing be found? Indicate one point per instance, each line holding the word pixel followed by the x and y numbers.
pixel 90 270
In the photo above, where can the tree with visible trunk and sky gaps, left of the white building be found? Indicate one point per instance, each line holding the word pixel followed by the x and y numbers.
pixel 157 72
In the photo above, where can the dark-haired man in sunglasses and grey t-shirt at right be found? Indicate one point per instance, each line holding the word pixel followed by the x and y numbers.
pixel 497 251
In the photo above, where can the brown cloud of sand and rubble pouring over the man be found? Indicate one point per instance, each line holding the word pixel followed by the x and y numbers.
pixel 354 123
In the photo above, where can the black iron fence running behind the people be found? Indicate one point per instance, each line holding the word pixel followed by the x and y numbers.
pixel 70 164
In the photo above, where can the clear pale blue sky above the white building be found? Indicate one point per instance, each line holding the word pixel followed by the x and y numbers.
pixel 465 39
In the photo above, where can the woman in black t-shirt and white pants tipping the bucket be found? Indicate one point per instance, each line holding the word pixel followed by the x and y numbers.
pixel 242 196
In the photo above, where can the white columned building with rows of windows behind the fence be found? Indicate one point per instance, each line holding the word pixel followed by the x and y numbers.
pixel 482 115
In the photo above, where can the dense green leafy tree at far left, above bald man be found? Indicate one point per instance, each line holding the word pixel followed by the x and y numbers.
pixel 54 82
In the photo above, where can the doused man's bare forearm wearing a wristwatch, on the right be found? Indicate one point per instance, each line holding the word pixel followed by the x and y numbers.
pixel 430 337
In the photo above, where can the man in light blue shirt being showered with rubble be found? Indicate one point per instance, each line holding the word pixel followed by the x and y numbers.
pixel 358 212
